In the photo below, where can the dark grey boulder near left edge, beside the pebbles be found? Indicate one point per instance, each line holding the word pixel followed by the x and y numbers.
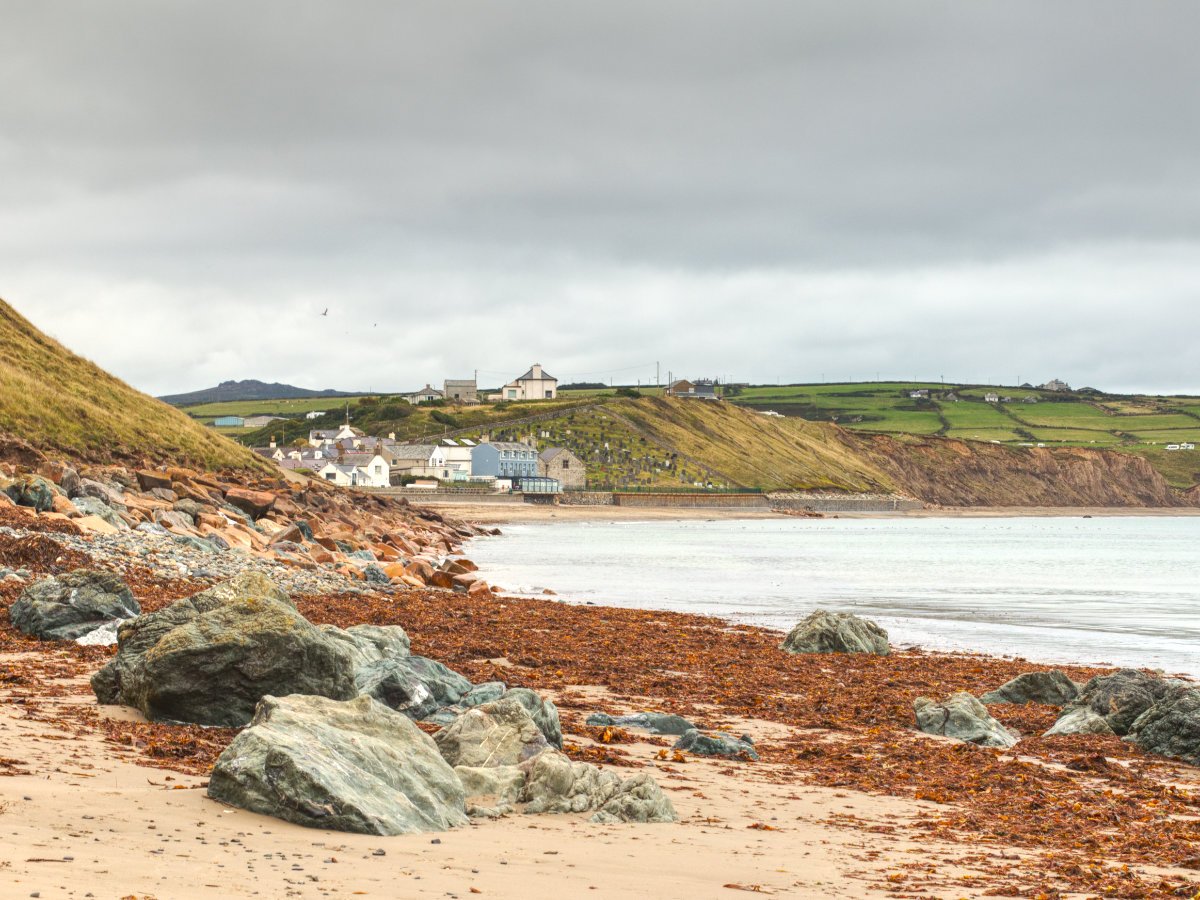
pixel 67 608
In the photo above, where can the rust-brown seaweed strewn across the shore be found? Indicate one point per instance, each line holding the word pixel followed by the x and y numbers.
pixel 1088 815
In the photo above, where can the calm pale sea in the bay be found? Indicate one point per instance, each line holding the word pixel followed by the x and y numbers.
pixel 1118 591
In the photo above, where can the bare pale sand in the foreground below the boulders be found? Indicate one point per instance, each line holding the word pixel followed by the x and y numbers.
pixel 89 821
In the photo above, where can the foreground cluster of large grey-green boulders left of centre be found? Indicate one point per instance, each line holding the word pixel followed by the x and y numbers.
pixel 331 741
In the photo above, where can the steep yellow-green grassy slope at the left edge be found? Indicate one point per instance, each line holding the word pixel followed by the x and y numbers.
pixel 62 403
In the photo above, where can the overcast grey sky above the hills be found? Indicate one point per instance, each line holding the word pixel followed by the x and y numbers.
pixel 765 191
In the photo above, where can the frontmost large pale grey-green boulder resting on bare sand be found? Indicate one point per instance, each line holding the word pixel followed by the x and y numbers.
pixel 347 766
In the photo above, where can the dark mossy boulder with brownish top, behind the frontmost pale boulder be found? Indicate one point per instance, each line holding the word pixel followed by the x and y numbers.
pixel 211 658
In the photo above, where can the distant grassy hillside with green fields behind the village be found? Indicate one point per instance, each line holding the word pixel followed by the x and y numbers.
pixel 659 443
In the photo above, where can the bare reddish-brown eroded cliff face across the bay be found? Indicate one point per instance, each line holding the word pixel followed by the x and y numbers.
pixel 958 473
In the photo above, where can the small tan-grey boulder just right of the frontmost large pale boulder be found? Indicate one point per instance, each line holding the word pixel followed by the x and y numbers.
pixel 497 734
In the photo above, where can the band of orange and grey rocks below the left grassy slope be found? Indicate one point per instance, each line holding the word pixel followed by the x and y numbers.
pixel 374 542
